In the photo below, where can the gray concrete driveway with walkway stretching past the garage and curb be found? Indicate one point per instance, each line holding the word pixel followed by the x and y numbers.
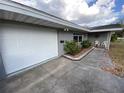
pixel 65 76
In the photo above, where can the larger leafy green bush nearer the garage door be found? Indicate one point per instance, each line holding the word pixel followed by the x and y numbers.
pixel 71 47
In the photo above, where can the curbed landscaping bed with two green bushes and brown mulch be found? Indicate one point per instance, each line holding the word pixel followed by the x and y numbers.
pixel 77 50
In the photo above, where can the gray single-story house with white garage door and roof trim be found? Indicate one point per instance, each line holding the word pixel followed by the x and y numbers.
pixel 29 37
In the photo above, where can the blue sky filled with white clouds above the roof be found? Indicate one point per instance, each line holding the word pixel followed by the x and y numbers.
pixel 83 12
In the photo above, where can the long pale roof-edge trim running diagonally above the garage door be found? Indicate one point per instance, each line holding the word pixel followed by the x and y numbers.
pixel 11 6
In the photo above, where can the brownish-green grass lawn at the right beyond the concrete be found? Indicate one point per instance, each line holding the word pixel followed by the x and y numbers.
pixel 117 54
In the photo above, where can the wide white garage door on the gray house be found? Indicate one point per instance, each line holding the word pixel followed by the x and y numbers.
pixel 24 46
